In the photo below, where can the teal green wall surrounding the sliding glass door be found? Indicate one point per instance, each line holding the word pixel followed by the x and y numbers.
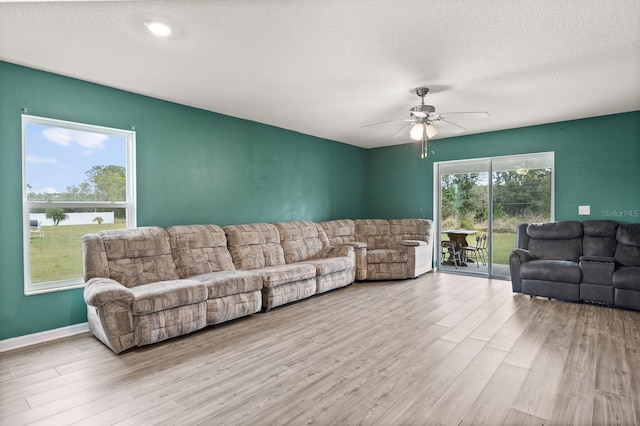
pixel 597 162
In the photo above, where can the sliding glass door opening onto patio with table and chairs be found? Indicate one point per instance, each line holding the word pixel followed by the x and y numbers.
pixel 479 204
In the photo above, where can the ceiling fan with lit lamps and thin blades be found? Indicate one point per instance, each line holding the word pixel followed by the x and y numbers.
pixel 420 123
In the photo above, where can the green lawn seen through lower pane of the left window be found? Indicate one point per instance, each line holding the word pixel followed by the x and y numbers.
pixel 58 256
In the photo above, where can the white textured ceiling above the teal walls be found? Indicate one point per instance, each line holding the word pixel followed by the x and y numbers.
pixel 327 67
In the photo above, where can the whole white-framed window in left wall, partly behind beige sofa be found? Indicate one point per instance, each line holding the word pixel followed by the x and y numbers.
pixel 77 179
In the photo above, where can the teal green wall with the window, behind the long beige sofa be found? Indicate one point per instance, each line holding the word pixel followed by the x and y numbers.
pixel 193 166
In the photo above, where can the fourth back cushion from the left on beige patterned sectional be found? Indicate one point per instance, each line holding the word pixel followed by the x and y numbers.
pixel 300 240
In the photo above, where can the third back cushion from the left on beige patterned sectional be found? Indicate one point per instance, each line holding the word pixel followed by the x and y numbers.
pixel 254 245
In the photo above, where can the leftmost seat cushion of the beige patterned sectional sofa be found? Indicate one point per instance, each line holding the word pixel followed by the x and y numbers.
pixel 158 296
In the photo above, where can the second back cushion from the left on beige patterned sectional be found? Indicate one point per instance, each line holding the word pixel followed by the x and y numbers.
pixel 199 249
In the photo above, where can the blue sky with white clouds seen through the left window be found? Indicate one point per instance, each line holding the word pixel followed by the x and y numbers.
pixel 58 158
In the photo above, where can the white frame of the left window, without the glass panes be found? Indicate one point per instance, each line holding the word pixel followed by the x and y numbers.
pixel 129 204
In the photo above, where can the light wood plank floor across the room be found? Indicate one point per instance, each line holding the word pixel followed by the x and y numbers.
pixel 441 349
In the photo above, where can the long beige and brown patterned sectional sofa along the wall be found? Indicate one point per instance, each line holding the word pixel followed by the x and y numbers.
pixel 150 284
